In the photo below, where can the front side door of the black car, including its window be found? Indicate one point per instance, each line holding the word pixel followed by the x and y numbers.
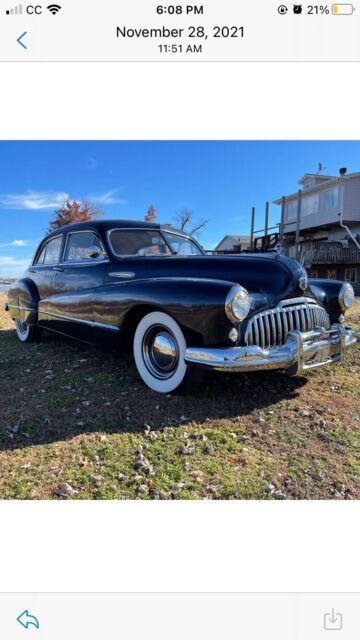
pixel 77 276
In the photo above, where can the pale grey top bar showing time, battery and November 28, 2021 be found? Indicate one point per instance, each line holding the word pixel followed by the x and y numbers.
pixel 85 30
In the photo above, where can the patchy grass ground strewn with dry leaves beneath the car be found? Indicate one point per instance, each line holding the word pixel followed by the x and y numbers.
pixel 71 416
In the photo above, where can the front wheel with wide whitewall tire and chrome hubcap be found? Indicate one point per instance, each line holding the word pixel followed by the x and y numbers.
pixel 159 350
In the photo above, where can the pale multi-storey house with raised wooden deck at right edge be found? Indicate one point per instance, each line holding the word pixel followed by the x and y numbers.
pixel 320 226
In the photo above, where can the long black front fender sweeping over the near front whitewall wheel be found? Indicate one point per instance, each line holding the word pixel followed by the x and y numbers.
pixel 197 304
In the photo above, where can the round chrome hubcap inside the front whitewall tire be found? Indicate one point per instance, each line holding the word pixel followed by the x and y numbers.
pixel 160 352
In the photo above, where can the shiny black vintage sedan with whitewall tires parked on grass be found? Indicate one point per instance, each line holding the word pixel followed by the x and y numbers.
pixel 125 283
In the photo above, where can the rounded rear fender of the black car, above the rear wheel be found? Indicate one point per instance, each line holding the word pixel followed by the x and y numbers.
pixel 22 301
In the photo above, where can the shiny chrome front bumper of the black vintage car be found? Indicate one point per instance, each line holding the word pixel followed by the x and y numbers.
pixel 301 351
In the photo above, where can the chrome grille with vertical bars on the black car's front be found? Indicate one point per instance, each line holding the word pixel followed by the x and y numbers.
pixel 270 328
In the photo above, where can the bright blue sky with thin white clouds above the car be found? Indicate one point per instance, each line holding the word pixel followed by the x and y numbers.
pixel 219 181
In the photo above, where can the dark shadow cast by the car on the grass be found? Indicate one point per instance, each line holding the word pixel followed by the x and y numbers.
pixel 57 389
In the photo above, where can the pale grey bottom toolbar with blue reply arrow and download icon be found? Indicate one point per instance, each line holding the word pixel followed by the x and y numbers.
pixel 210 616
